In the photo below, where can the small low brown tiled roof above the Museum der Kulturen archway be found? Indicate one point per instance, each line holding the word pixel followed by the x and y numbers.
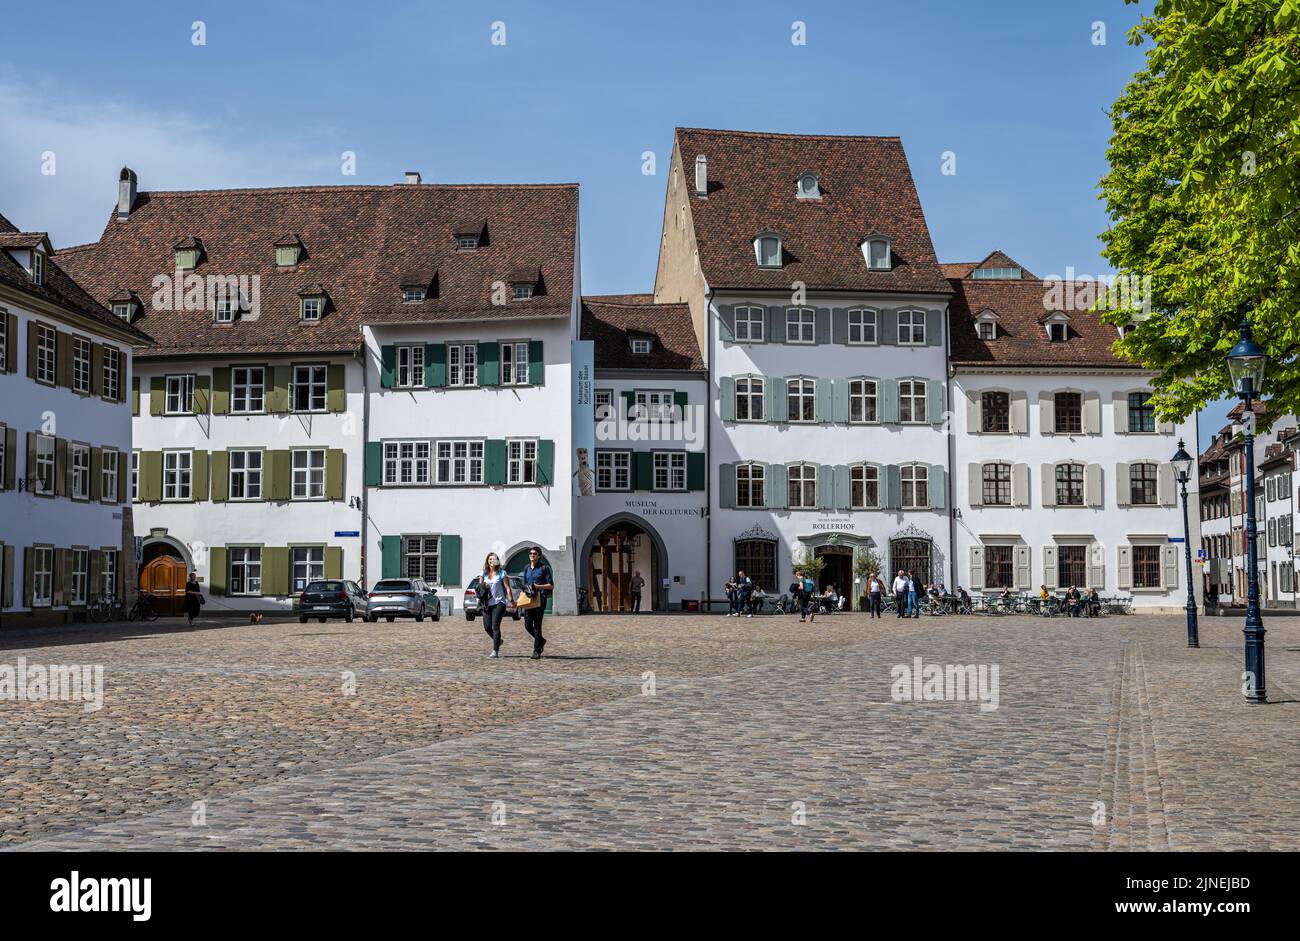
pixel 613 320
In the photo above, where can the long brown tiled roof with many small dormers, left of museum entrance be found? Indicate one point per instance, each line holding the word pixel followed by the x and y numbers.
pixel 359 244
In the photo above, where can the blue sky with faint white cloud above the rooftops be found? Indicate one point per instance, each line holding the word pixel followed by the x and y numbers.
pixel 1017 90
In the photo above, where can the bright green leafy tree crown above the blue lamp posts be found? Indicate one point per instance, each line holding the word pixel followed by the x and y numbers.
pixel 1204 197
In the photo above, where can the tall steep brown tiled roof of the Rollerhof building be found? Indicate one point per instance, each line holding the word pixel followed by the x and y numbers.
pixel 866 187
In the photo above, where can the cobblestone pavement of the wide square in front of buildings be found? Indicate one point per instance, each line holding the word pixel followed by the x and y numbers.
pixel 760 734
